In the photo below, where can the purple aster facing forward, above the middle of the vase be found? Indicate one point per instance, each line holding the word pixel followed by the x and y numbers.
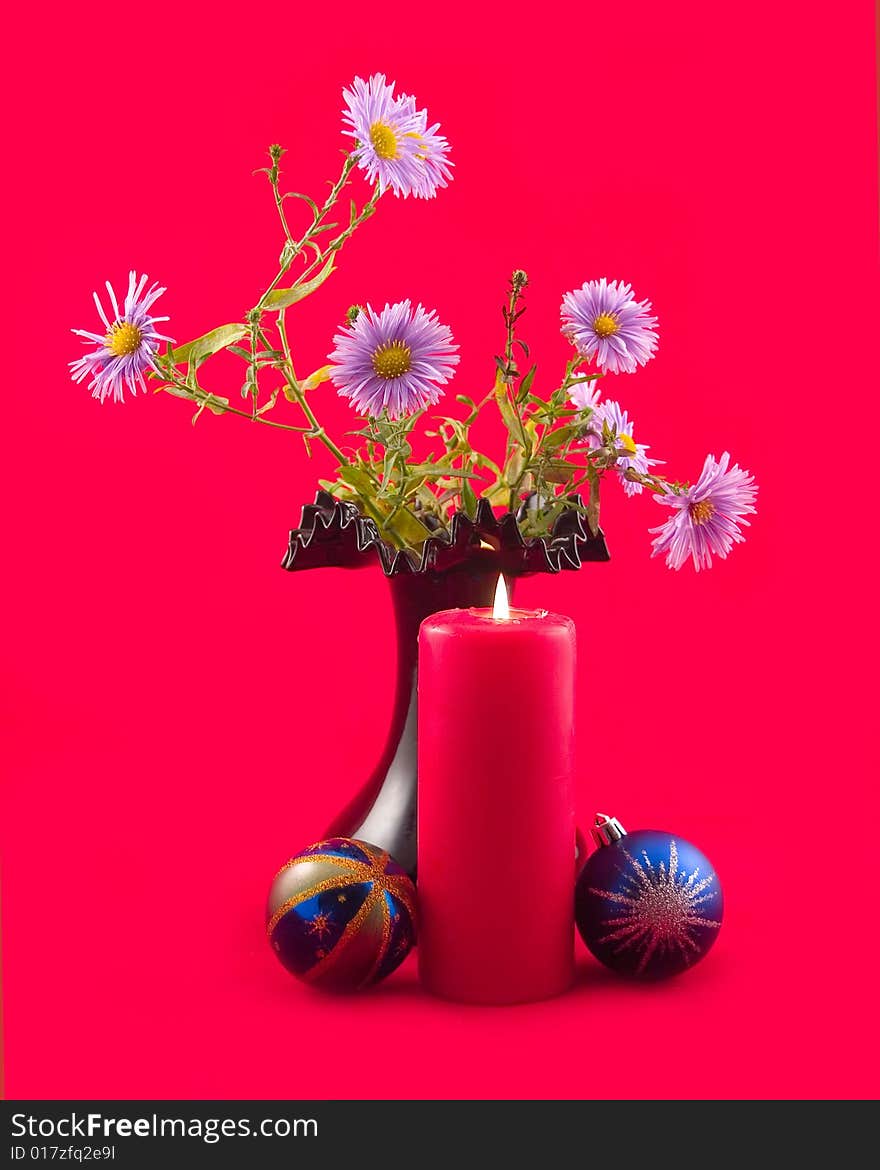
pixel 394 361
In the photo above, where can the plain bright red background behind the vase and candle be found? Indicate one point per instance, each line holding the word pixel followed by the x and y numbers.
pixel 182 715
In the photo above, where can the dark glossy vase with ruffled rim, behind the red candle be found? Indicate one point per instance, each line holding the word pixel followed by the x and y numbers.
pixel 455 570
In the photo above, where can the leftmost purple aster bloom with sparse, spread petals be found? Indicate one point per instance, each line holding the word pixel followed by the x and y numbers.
pixel 128 349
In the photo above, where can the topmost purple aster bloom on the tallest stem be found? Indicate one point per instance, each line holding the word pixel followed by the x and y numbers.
pixel 394 142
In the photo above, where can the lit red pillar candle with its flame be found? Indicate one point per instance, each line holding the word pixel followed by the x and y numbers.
pixel 497 821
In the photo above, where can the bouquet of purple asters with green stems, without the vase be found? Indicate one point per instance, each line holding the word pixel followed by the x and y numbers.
pixel 393 364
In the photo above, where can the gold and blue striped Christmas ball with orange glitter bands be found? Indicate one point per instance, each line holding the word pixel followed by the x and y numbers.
pixel 342 916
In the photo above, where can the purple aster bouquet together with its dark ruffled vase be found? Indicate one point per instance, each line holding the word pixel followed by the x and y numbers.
pixel 444 526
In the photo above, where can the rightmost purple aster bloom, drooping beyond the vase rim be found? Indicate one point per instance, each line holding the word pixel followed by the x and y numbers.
pixel 709 517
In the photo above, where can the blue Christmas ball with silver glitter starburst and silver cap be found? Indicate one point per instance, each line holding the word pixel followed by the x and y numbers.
pixel 648 904
